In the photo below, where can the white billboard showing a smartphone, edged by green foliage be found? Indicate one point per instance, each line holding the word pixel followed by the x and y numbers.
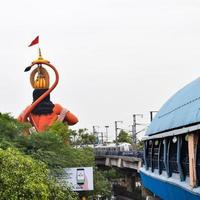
pixel 80 178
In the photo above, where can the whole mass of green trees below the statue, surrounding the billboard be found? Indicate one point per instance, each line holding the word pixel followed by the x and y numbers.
pixel 29 164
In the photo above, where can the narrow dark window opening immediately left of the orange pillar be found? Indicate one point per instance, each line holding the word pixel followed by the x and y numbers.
pixel 185 156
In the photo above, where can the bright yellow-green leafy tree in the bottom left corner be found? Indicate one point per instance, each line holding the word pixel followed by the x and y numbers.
pixel 21 177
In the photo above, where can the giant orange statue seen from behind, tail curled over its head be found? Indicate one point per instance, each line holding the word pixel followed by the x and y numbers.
pixel 42 113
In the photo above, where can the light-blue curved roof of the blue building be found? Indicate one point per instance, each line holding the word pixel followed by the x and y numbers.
pixel 180 111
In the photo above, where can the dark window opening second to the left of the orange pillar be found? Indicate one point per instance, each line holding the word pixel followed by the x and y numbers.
pixel 173 166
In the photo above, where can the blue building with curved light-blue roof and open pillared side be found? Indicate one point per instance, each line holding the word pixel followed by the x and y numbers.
pixel 172 147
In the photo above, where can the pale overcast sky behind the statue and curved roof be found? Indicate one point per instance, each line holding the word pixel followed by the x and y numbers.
pixel 115 57
